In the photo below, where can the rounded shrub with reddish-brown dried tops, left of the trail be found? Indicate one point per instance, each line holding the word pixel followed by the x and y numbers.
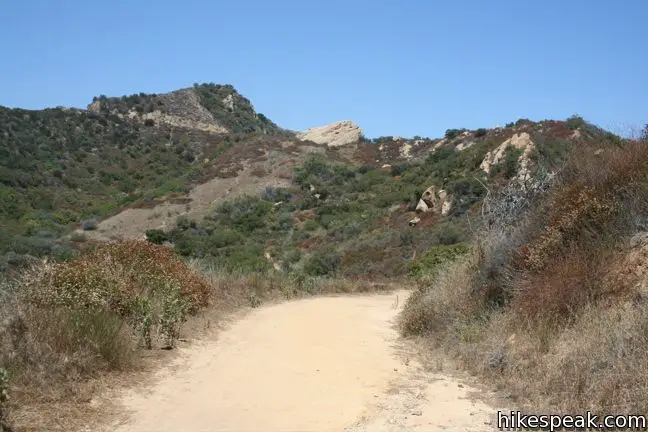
pixel 145 284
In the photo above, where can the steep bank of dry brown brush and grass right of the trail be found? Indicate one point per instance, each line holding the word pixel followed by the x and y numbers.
pixel 569 329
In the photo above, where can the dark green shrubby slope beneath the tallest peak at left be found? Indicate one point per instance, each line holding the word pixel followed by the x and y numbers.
pixel 61 168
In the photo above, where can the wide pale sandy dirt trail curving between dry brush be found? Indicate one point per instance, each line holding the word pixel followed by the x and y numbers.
pixel 322 364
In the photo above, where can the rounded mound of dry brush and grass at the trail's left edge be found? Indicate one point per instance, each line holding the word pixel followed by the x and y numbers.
pixel 66 325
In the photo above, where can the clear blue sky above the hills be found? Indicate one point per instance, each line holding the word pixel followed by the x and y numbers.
pixel 395 67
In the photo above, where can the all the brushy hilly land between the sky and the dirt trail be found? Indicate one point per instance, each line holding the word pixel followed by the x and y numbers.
pixel 155 208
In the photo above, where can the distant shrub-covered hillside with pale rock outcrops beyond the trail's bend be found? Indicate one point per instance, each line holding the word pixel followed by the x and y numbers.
pixel 136 163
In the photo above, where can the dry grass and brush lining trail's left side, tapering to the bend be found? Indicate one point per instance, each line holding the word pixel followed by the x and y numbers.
pixel 71 330
